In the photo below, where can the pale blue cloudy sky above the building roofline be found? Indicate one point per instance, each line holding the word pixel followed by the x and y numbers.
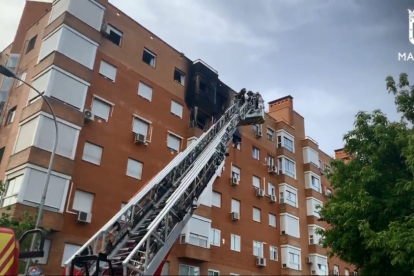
pixel 331 56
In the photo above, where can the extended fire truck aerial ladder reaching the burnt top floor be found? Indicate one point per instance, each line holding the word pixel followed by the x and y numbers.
pixel 138 239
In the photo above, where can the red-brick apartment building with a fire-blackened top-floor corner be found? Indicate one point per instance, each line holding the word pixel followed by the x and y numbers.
pixel 109 79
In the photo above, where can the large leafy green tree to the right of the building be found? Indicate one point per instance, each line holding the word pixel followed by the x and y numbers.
pixel 371 213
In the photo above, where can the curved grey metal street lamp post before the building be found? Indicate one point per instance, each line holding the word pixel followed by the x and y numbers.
pixel 7 73
